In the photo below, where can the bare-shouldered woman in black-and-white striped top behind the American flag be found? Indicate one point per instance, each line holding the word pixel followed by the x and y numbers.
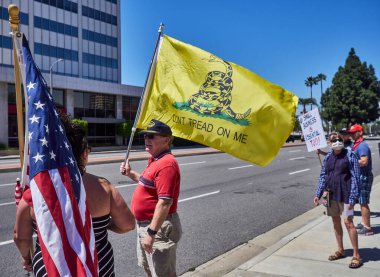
pixel 107 207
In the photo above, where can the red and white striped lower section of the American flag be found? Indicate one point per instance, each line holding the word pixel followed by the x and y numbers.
pixel 58 224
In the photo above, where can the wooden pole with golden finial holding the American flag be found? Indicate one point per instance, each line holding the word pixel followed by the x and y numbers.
pixel 14 23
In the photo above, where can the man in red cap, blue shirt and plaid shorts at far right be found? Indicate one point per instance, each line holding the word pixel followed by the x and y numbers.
pixel 362 150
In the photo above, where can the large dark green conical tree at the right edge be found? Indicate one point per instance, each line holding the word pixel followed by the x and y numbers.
pixel 354 94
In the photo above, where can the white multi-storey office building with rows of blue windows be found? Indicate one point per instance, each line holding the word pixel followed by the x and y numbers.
pixel 78 41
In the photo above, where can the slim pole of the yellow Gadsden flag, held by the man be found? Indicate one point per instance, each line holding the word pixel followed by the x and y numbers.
pixel 147 85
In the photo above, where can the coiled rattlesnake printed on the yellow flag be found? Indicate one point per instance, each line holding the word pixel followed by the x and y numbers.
pixel 214 95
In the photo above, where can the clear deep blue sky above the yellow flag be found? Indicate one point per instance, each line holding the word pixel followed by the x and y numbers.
pixel 283 41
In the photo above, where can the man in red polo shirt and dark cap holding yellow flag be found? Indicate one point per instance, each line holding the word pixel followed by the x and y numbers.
pixel 154 203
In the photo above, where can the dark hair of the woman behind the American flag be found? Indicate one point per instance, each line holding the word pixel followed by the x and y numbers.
pixel 77 138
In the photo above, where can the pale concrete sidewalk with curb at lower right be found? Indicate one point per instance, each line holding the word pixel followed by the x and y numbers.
pixel 300 247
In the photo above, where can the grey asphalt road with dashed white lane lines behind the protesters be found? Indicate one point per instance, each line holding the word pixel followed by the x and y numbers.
pixel 224 202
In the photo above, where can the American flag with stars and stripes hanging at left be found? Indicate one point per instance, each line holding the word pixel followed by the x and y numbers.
pixel 64 223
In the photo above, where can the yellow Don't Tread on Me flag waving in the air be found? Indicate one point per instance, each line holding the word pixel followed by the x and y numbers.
pixel 217 103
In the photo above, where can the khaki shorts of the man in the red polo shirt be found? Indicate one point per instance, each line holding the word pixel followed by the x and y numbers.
pixel 163 260
